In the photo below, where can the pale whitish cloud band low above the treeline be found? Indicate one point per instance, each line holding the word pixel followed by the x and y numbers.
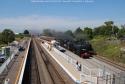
pixel 38 23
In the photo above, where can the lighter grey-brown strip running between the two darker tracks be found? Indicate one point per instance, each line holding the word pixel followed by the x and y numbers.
pixel 45 77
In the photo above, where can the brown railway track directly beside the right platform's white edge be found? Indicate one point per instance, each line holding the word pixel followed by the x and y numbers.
pixel 54 74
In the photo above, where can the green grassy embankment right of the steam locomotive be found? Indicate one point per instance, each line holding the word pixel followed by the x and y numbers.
pixel 104 48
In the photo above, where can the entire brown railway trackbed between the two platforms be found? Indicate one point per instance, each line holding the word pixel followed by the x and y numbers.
pixel 39 69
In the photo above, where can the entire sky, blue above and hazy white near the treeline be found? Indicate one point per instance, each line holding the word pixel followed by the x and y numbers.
pixel 36 15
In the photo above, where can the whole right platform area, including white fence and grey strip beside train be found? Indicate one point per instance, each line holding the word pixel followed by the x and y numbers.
pixel 92 70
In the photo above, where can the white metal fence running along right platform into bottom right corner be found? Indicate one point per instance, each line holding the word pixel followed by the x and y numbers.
pixel 95 75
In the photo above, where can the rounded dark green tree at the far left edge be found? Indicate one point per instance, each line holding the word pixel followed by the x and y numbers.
pixel 8 36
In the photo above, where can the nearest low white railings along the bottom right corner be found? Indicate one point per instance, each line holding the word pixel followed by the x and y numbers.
pixel 108 79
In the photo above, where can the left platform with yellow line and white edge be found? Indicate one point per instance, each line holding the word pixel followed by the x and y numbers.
pixel 16 67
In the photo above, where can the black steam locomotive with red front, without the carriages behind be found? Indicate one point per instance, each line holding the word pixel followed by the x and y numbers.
pixel 82 48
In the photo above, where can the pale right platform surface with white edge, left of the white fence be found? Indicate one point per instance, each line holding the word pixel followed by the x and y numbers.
pixel 69 68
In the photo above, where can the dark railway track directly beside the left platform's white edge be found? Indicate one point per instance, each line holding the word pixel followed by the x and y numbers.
pixel 31 74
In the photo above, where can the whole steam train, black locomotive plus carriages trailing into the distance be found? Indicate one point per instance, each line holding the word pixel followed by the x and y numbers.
pixel 82 48
